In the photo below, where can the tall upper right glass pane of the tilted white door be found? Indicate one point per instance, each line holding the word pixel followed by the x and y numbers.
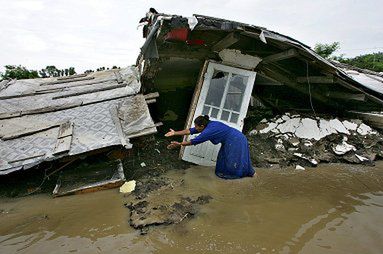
pixel 234 97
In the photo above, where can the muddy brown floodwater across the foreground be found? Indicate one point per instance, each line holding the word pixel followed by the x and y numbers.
pixel 329 209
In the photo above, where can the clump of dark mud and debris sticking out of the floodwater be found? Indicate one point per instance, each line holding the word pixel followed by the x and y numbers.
pixel 160 201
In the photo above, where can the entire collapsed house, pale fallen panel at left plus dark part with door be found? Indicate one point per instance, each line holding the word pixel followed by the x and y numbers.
pixel 199 65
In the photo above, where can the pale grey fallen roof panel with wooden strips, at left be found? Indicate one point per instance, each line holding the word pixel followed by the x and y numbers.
pixel 48 118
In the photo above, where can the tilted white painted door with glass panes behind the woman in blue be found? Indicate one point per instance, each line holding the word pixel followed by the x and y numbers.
pixel 225 96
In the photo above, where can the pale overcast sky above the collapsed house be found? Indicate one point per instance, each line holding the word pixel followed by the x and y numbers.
pixel 88 34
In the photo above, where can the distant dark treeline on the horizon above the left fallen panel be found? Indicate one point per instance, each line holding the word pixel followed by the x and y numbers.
pixel 21 72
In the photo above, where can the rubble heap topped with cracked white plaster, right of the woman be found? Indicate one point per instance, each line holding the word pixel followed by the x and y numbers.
pixel 293 139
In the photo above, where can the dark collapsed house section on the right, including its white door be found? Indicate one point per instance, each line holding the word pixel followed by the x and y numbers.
pixel 205 65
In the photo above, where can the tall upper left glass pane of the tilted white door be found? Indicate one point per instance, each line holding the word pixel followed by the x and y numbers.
pixel 216 88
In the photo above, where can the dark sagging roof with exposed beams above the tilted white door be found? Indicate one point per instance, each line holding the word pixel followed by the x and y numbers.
pixel 283 58
